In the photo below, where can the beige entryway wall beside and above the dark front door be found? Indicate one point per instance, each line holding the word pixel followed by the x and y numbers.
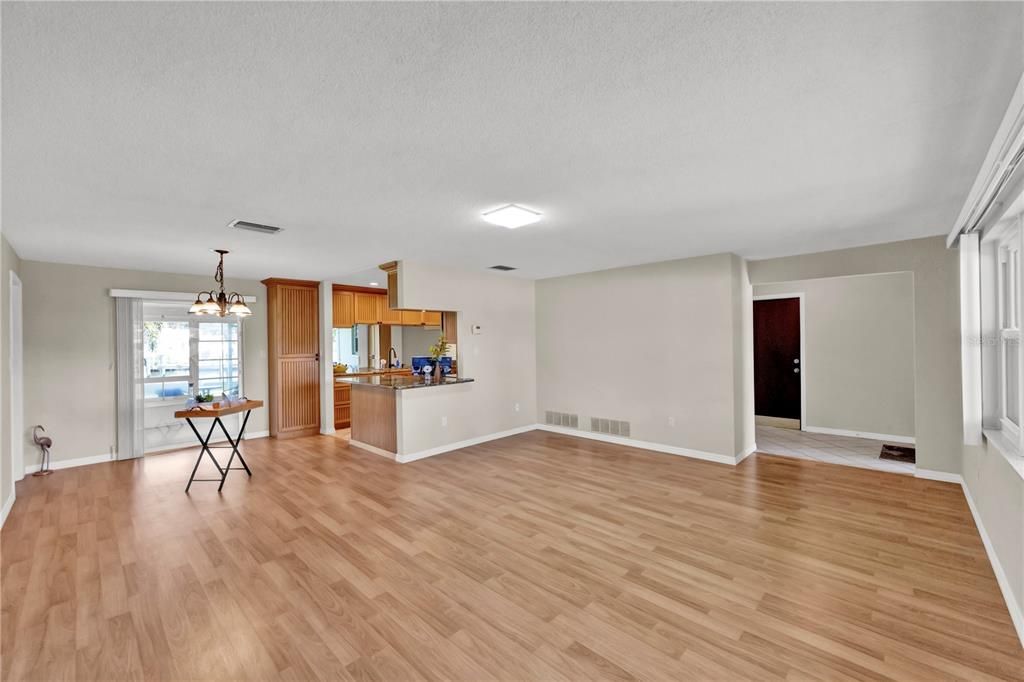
pixel 859 363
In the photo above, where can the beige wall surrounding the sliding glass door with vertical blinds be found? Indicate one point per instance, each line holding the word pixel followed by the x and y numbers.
pixel 70 365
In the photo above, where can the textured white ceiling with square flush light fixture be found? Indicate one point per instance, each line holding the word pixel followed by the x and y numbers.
pixel 135 133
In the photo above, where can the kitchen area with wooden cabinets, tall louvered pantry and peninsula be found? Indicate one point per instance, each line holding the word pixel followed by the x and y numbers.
pixel 343 360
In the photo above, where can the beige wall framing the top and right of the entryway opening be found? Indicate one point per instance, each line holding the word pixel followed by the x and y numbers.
pixel 938 420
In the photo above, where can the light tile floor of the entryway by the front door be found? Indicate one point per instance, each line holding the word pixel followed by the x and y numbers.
pixel 851 452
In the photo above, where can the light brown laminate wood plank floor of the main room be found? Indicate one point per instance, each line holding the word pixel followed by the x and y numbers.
pixel 536 558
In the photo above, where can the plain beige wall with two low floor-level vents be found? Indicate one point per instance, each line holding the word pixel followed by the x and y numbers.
pixel 664 347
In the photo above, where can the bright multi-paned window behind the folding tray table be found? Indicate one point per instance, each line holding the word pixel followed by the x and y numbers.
pixel 183 354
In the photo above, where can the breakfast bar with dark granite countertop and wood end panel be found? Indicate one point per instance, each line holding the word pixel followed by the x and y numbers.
pixel 376 407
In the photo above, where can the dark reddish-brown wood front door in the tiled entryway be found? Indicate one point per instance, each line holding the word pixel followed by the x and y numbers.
pixel 777 358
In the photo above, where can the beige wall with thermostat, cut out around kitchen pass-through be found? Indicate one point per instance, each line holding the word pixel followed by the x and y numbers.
pixel 501 359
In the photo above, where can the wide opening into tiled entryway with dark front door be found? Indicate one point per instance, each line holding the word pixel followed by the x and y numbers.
pixel 834 370
